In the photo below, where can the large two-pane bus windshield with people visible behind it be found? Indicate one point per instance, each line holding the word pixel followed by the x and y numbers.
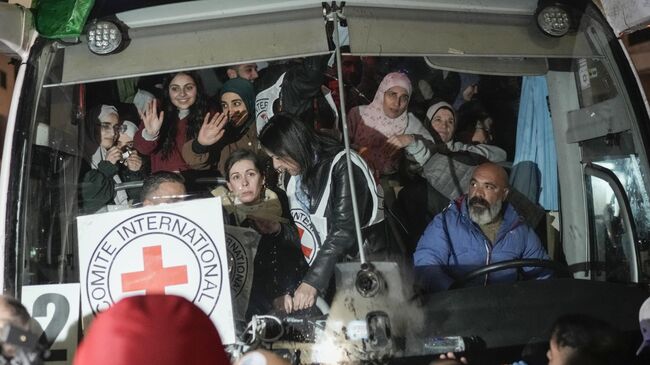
pixel 463 158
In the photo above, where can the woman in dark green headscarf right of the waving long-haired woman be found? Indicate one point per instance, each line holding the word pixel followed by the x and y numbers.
pixel 238 104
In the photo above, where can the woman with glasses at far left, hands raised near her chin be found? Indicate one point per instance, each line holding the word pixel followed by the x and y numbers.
pixel 106 164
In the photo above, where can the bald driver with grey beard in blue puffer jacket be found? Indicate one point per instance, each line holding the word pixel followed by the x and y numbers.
pixel 476 230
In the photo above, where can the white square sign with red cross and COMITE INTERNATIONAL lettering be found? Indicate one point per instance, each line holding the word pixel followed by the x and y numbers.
pixel 178 249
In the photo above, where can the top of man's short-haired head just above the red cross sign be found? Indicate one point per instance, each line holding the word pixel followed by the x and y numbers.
pixel 163 187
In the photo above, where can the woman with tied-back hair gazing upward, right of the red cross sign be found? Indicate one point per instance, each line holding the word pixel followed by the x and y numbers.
pixel 279 265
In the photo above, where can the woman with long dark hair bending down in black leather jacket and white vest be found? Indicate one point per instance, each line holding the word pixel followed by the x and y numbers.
pixel 320 198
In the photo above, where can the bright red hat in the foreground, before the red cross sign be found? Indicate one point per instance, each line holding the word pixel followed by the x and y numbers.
pixel 152 329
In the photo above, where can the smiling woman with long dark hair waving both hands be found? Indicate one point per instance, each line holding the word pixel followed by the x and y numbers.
pixel 183 116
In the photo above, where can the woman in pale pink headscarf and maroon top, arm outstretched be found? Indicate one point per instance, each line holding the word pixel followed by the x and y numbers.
pixel 375 129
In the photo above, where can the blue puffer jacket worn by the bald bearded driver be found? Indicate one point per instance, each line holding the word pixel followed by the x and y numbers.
pixel 453 245
